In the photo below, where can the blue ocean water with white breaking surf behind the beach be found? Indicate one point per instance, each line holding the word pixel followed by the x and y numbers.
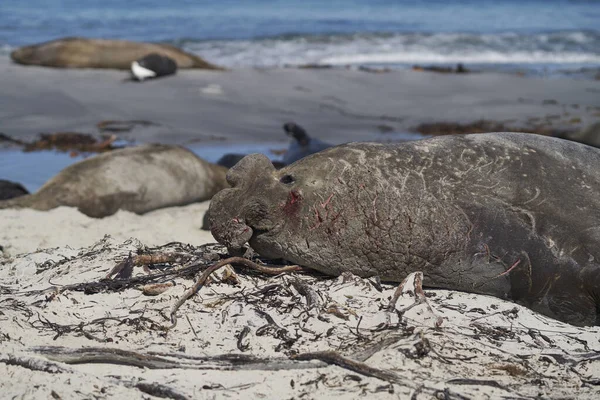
pixel 538 36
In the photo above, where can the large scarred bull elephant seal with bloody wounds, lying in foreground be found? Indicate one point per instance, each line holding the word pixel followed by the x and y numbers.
pixel 516 216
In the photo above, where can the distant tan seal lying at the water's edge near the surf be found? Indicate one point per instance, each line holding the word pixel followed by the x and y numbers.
pixel 100 53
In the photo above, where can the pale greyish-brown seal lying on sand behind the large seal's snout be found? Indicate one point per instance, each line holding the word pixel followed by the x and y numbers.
pixel 138 179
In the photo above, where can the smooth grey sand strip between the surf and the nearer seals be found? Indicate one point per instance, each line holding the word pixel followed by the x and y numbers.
pixel 336 105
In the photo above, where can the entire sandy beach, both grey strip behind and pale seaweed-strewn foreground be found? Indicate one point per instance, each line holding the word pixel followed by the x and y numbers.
pixel 242 337
